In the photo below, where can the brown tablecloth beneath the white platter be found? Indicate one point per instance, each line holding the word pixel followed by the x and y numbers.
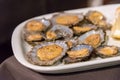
pixel 11 69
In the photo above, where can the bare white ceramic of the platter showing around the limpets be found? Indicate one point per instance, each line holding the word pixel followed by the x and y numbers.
pixel 20 47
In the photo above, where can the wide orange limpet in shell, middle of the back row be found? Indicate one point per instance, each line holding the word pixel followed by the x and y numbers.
pixel 67 19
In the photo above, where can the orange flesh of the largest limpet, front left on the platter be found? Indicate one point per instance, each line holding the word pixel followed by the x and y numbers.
pixel 49 52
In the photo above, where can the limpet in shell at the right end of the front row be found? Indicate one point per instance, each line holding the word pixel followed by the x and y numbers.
pixel 107 51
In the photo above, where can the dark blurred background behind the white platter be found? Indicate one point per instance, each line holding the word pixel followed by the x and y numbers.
pixel 13 12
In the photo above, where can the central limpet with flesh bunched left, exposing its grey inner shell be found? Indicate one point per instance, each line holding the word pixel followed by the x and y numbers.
pixel 59 31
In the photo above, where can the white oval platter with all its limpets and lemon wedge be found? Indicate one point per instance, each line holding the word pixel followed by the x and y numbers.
pixel 69 41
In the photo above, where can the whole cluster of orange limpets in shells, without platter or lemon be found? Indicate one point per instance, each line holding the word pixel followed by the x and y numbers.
pixel 68 38
